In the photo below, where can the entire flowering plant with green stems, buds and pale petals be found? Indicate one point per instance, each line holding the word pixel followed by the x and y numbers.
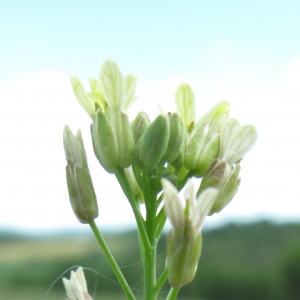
pixel 153 161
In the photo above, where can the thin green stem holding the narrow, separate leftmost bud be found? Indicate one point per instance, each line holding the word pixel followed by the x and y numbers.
pixel 112 261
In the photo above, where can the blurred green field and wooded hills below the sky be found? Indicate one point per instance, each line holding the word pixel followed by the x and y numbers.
pixel 255 261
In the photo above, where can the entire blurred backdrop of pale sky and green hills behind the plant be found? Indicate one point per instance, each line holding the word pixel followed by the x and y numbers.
pixel 245 52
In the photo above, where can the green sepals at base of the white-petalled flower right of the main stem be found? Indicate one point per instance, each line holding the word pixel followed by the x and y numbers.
pixel 183 254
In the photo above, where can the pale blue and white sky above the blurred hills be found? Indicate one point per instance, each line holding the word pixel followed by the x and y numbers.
pixel 247 52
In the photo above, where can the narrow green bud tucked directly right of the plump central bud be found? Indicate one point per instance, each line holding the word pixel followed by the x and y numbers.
pixel 176 138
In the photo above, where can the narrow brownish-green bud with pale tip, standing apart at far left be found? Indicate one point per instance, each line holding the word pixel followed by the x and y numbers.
pixel 81 191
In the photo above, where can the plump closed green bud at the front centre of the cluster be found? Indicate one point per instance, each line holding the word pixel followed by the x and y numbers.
pixel 155 141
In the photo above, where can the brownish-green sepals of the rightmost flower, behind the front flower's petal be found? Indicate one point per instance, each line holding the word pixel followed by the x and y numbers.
pixel 223 177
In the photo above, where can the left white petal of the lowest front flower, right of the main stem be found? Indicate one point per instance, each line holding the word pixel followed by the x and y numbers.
pixel 173 206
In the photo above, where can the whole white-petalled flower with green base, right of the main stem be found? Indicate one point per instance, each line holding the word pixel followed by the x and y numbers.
pixel 184 241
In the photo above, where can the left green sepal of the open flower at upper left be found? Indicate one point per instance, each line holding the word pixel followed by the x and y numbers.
pixel 105 142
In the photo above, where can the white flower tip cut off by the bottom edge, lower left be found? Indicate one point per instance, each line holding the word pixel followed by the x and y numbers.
pixel 76 287
